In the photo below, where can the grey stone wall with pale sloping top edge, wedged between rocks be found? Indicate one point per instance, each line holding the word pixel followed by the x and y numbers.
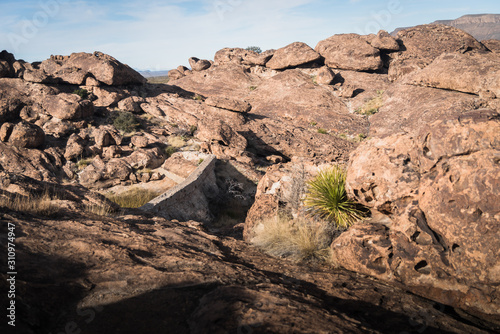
pixel 189 200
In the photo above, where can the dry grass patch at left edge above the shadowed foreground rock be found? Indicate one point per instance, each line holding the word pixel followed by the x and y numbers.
pixel 42 205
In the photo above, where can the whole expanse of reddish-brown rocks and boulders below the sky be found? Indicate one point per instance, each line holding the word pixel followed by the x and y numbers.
pixel 414 119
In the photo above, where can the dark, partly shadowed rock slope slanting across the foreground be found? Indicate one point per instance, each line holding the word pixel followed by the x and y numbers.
pixel 176 277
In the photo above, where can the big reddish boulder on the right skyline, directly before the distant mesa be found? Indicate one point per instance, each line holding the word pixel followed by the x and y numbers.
pixel 420 45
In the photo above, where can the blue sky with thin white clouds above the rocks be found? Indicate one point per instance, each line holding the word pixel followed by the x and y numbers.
pixel 160 35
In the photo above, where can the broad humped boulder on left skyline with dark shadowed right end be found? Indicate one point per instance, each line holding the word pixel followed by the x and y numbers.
pixel 78 67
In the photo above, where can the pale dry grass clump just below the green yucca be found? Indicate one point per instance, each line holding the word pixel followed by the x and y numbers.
pixel 299 239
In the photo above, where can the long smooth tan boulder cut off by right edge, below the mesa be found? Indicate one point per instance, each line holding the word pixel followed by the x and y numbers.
pixel 476 73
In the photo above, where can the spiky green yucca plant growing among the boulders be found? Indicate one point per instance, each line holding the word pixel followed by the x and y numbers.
pixel 327 198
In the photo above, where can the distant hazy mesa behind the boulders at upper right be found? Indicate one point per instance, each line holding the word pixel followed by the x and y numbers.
pixel 481 26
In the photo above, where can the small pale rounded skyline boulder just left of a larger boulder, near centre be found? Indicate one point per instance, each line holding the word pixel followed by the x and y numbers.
pixel 292 55
